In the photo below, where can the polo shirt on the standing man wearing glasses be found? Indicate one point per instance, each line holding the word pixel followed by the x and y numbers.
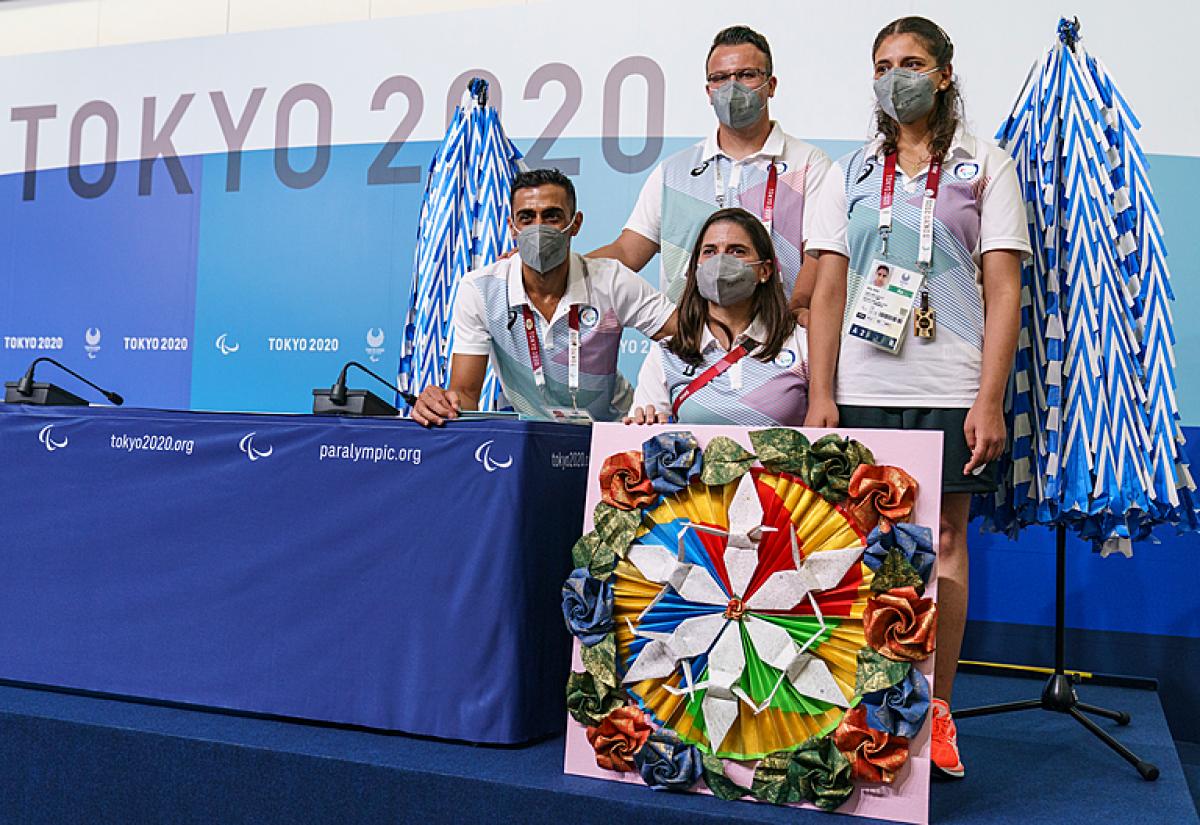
pixel 691 185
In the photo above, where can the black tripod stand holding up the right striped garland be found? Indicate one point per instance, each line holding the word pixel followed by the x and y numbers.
pixel 1059 694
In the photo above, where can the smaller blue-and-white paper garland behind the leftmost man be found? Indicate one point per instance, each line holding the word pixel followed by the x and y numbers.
pixel 464 226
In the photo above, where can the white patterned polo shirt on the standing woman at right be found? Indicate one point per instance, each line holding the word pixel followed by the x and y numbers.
pixel 979 209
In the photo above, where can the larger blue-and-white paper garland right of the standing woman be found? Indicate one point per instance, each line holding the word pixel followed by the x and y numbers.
pixel 1097 443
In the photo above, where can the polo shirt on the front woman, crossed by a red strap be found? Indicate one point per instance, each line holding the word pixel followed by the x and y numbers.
pixel 749 394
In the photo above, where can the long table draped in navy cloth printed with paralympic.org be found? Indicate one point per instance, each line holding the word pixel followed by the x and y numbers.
pixel 353 571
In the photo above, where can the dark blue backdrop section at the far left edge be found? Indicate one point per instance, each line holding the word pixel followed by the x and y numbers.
pixel 106 285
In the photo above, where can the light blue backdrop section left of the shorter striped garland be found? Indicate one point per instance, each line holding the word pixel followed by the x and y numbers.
pixel 297 281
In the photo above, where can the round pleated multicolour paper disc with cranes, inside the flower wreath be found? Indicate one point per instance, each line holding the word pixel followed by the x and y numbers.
pixel 739 595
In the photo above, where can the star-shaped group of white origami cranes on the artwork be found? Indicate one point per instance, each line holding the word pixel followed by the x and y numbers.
pixel 718 635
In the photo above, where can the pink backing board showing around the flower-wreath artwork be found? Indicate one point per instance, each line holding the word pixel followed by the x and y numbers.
pixel 920 454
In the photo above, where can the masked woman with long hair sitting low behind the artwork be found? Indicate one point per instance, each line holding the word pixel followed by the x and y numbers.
pixel 737 357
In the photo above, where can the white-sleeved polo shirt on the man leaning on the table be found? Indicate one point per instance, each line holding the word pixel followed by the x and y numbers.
pixel 489 321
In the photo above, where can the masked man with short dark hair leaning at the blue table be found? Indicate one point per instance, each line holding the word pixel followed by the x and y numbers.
pixel 550 320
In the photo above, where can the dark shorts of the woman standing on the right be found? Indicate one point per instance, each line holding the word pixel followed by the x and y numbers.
pixel 949 421
